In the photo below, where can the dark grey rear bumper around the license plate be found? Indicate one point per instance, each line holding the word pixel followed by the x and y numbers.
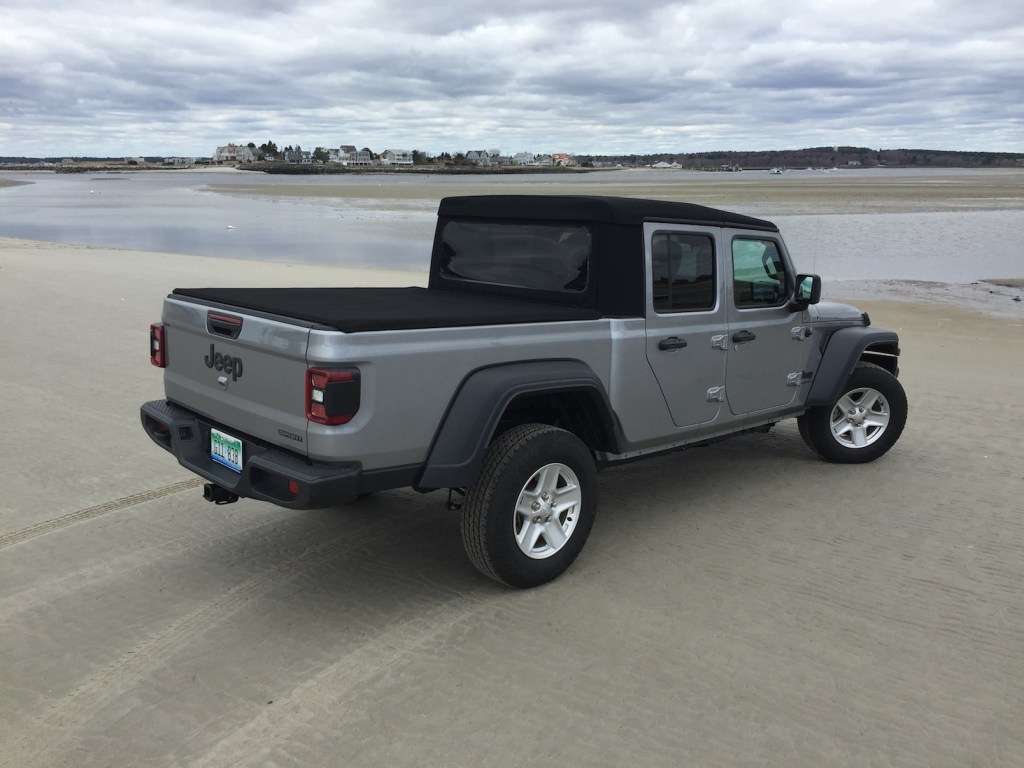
pixel 268 471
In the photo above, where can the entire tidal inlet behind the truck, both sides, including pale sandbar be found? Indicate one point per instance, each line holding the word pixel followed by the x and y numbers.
pixel 392 226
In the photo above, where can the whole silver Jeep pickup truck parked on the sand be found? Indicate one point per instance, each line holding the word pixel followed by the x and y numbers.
pixel 557 335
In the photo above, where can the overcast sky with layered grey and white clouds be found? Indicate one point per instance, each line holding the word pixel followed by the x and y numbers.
pixel 181 77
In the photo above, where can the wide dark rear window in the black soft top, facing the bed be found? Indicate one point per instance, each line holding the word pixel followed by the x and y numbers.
pixel 544 258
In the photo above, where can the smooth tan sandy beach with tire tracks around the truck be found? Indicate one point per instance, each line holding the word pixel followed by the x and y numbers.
pixel 839 617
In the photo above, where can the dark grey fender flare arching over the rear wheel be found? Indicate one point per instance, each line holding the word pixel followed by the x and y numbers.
pixel 462 439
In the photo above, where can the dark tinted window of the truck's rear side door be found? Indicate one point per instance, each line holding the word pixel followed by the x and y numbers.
pixel 684 273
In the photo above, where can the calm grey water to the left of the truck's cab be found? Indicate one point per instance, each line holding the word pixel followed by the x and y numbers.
pixel 175 212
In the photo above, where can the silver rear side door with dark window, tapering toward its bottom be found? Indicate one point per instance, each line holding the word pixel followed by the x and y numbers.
pixel 687 321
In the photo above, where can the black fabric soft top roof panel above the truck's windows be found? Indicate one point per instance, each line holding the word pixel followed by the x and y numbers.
pixel 593 208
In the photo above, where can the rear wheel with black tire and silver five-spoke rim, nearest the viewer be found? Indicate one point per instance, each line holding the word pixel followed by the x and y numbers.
pixel 517 541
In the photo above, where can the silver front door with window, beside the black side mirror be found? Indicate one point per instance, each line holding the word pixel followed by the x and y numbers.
pixel 765 352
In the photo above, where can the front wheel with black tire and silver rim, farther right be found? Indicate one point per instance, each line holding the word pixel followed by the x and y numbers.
pixel 864 422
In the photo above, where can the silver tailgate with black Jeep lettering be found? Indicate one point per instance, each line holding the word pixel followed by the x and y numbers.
pixel 244 372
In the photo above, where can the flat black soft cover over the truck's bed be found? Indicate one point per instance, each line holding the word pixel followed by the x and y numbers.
pixel 362 310
